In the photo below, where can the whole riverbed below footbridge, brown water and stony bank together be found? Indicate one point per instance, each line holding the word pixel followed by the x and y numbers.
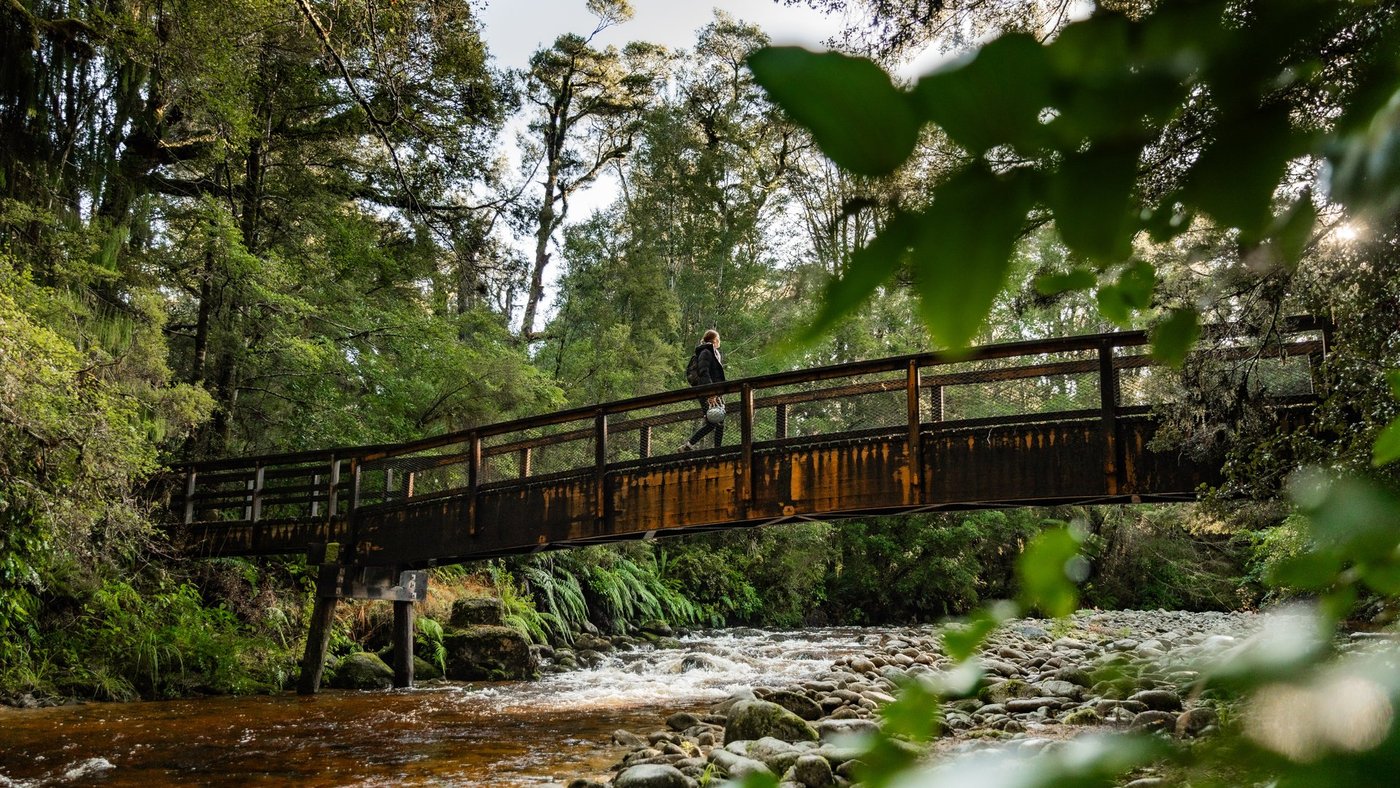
pixel 645 706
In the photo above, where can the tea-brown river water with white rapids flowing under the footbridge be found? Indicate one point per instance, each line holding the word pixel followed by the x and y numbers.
pixel 509 734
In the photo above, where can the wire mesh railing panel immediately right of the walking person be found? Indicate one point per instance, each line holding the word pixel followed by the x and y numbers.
pixel 828 408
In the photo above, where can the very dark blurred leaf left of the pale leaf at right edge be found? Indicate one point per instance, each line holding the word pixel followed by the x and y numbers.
pixel 1235 177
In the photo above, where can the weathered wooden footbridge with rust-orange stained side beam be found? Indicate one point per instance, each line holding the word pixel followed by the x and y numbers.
pixel 1034 423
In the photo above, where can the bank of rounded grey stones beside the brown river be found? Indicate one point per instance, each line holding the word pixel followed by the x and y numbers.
pixel 1045 682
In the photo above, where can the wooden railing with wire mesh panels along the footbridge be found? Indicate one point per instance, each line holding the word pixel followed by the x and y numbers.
pixel 1102 377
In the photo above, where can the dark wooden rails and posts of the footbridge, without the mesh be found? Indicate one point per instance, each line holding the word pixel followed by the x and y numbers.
pixel 328 472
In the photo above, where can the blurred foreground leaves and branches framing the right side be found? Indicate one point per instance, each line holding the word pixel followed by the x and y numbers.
pixel 1275 93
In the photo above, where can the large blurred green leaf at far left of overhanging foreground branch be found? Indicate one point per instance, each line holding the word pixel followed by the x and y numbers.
pixel 856 114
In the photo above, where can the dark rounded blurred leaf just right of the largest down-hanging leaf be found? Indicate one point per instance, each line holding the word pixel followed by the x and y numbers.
pixel 1090 198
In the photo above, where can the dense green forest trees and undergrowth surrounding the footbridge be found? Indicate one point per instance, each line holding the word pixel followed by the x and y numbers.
pixel 239 227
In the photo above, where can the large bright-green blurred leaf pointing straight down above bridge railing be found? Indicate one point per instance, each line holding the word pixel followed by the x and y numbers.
pixel 962 254
